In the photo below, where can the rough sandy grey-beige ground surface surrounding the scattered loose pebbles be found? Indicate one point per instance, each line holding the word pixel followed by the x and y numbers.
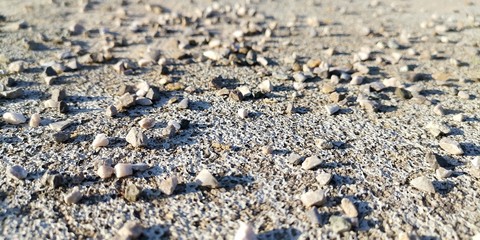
pixel 375 154
